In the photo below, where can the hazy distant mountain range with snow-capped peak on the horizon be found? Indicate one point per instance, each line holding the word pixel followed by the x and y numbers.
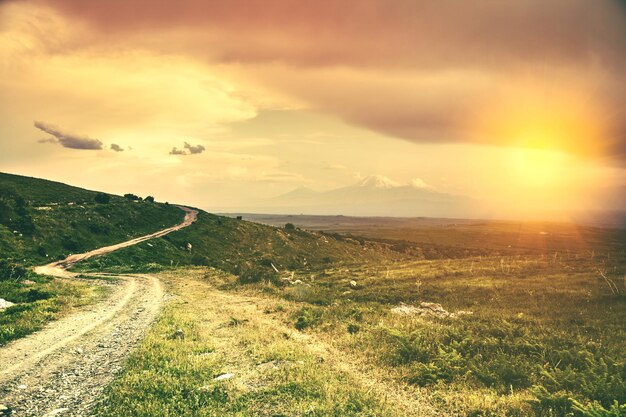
pixel 374 195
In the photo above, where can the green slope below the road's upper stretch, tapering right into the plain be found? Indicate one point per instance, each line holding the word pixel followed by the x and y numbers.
pixel 243 248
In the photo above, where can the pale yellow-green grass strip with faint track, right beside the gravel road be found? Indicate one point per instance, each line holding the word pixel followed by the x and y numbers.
pixel 262 372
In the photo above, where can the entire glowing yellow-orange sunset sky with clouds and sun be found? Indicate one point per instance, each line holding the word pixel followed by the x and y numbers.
pixel 224 104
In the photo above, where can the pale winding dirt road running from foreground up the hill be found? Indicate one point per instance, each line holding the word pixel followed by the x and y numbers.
pixel 62 369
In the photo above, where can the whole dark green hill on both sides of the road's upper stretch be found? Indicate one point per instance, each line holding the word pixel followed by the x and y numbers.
pixel 45 220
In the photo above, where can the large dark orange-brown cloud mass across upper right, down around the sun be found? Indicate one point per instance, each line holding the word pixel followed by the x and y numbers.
pixel 488 45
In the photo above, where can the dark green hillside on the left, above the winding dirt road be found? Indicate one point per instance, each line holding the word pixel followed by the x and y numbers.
pixel 43 220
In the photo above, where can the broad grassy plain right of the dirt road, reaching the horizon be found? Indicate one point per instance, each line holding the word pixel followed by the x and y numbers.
pixel 533 324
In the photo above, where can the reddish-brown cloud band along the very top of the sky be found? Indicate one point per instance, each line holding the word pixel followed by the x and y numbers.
pixel 378 32
